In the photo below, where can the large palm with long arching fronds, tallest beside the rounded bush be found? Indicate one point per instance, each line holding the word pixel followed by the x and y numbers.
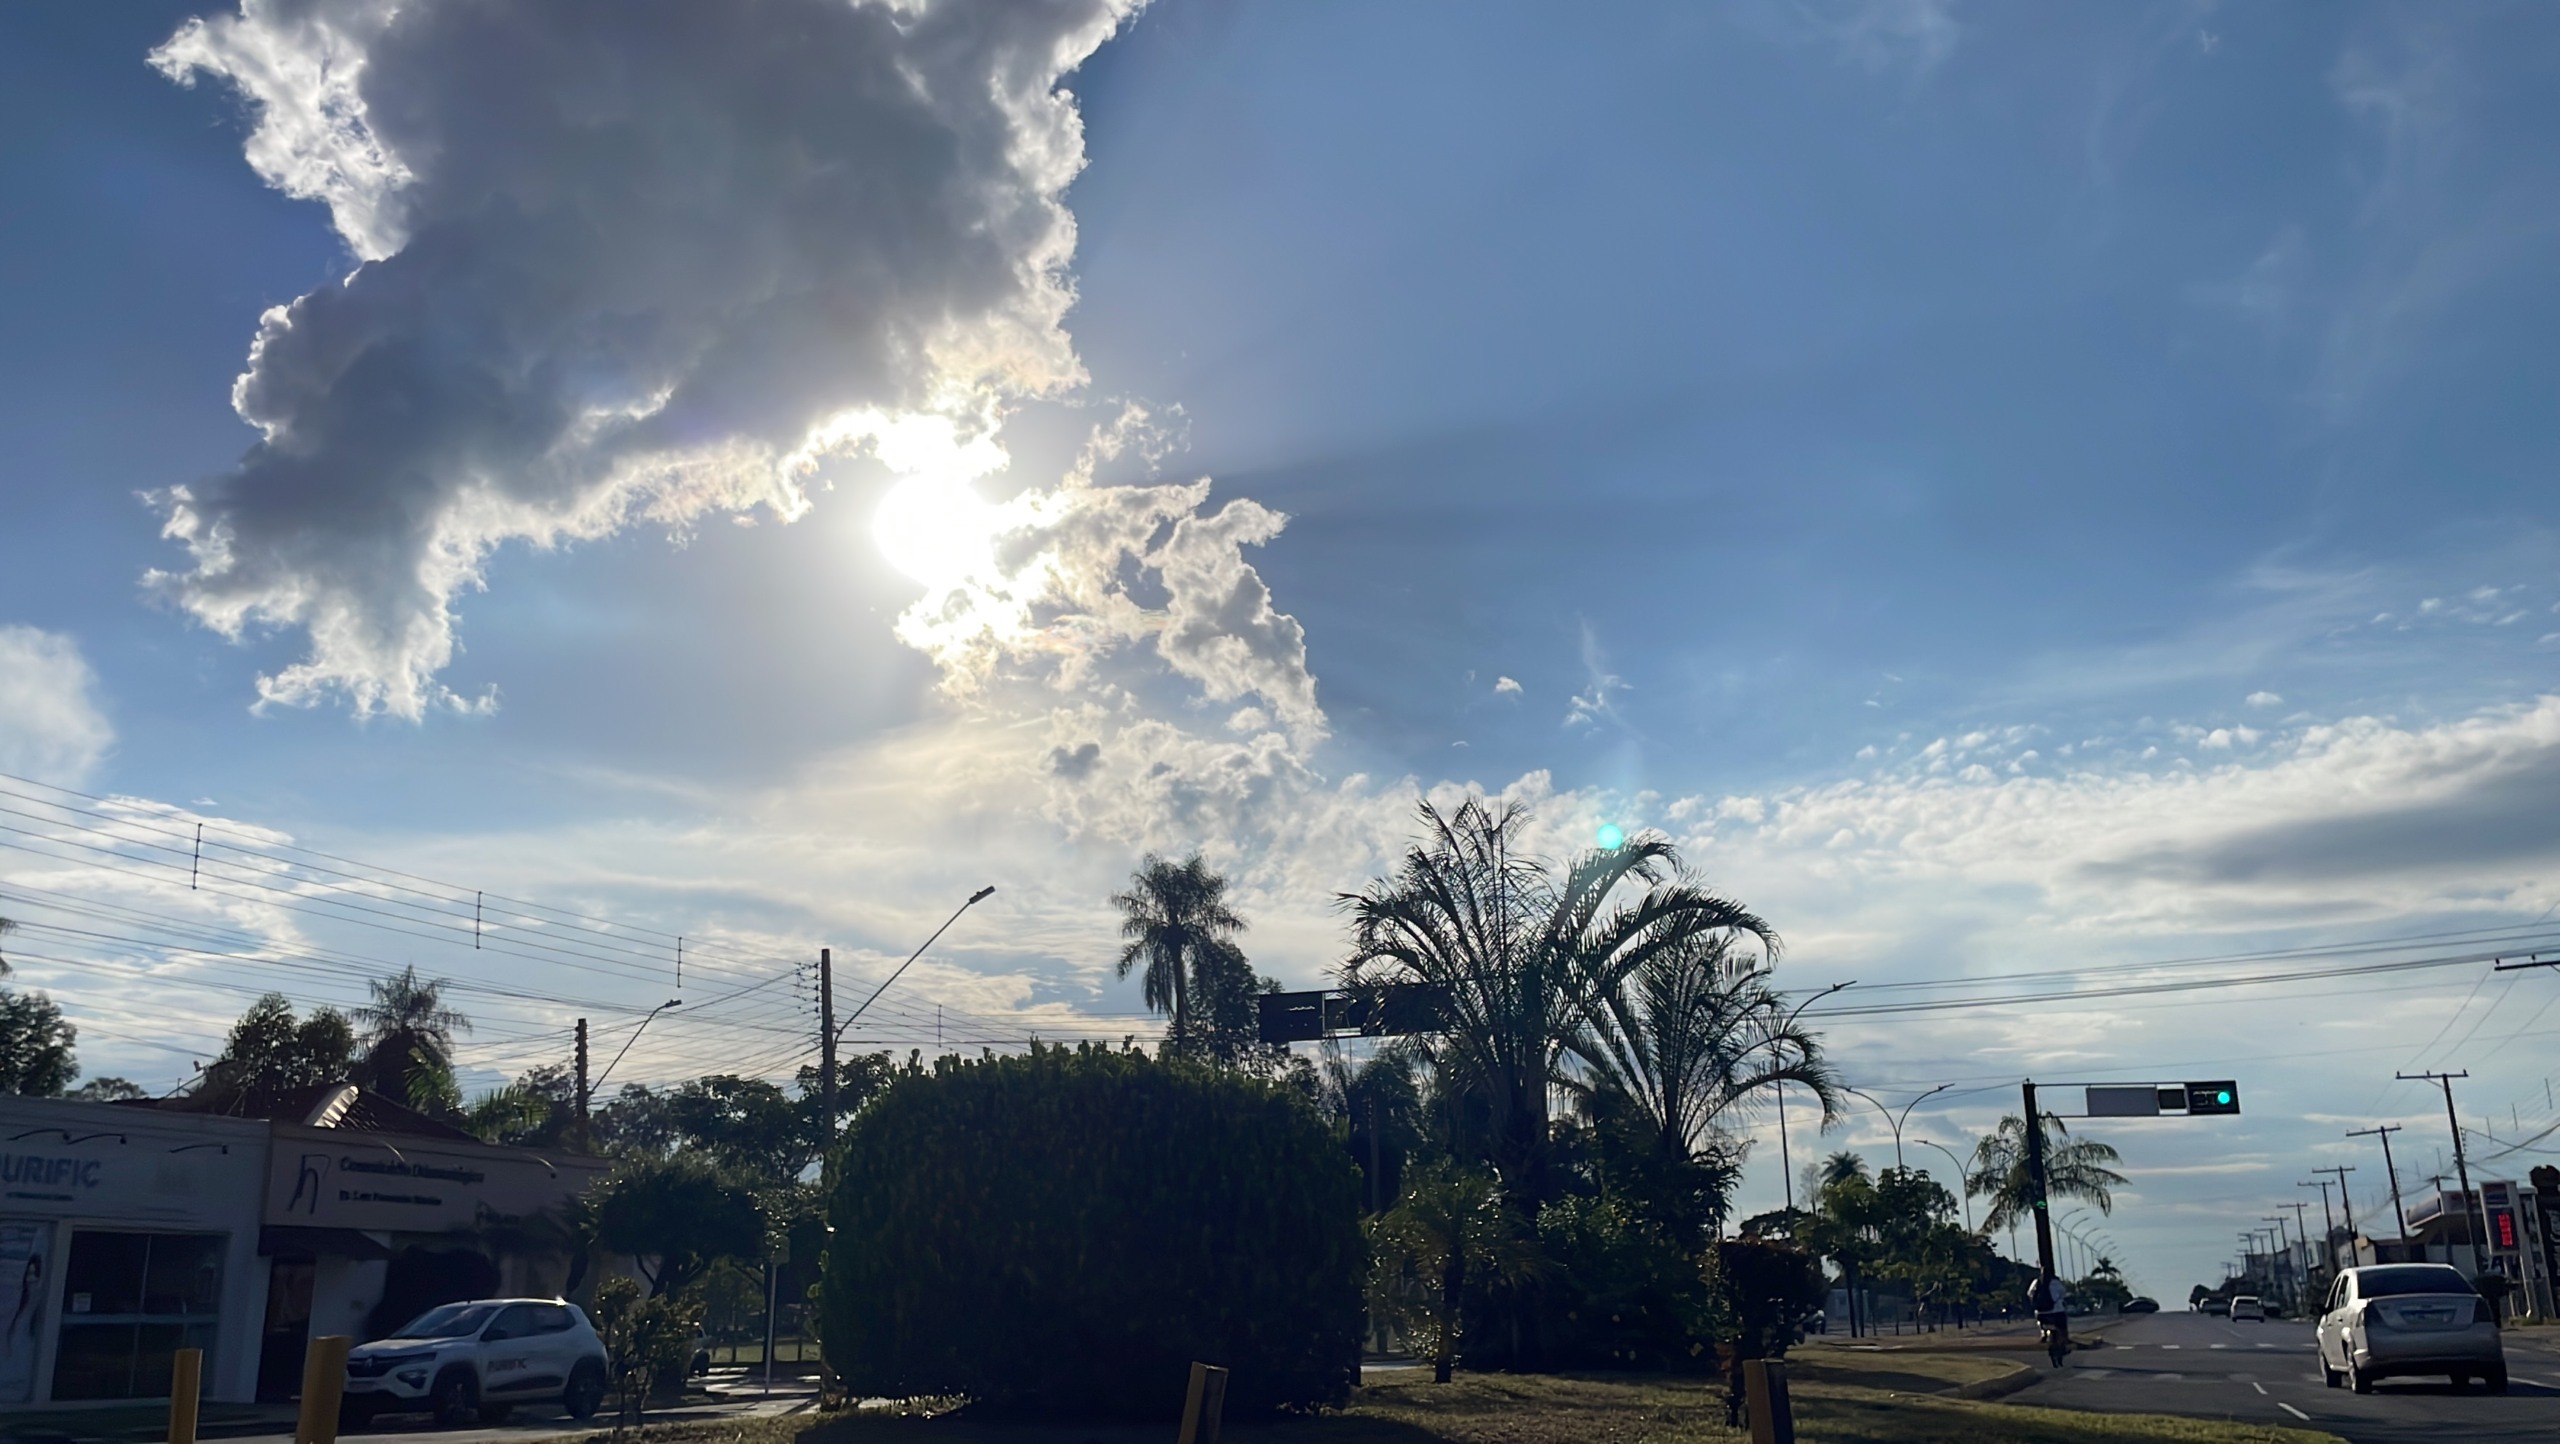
pixel 1524 956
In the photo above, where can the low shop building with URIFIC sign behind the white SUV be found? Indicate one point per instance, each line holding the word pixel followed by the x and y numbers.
pixel 134 1230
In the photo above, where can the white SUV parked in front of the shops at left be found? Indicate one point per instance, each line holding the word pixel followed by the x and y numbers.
pixel 480 1361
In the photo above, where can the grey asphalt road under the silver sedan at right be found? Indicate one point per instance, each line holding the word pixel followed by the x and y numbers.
pixel 2269 1374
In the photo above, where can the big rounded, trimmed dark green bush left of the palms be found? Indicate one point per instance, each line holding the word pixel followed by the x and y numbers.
pixel 1066 1233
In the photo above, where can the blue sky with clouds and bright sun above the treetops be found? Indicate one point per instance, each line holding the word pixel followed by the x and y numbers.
pixel 2011 490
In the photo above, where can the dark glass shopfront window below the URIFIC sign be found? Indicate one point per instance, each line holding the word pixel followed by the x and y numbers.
pixel 129 1304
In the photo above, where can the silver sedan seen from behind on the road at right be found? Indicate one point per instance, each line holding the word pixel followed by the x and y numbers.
pixel 2408 1320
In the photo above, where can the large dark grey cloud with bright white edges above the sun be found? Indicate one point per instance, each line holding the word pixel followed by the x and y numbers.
pixel 623 262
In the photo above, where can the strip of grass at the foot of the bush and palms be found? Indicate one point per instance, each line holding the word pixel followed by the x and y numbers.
pixel 1545 1409
